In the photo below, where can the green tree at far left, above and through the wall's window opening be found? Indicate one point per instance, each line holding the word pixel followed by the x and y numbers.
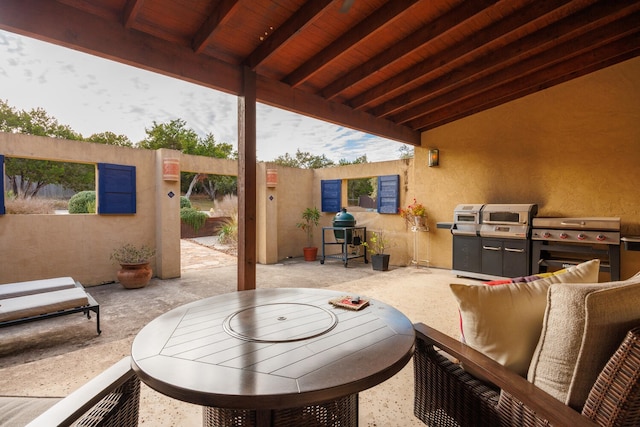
pixel 27 176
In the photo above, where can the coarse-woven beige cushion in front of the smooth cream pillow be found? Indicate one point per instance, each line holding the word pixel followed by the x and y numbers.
pixel 583 326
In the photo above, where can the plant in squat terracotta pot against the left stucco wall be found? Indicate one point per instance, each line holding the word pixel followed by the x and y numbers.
pixel 134 260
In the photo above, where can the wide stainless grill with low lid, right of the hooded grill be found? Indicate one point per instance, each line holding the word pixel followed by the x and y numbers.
pixel 562 242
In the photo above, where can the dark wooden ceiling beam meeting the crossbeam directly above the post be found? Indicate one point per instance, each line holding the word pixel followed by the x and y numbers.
pixel 293 26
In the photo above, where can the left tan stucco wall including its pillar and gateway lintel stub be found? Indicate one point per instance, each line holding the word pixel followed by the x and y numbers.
pixel 40 246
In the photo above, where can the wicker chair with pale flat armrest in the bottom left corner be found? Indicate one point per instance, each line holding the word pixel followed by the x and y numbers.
pixel 110 399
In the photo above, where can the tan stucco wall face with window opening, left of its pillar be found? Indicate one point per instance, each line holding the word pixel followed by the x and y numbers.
pixel 41 246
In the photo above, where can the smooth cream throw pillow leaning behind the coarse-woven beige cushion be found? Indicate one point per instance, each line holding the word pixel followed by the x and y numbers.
pixel 504 321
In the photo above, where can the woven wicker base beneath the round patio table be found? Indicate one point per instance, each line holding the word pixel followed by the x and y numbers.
pixel 341 412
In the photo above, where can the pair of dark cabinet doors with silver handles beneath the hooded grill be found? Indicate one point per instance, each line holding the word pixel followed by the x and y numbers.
pixel 505 257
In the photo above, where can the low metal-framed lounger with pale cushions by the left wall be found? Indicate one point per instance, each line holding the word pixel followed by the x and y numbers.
pixel 29 301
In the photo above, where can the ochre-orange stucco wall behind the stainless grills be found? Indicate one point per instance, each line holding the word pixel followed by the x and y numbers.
pixel 573 149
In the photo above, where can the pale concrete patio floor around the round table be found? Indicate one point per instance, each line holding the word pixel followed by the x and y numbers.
pixel 54 357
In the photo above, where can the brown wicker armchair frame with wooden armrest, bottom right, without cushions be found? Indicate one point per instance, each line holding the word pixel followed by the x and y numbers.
pixel 447 395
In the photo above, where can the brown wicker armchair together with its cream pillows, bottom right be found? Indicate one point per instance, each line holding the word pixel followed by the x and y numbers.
pixel 585 370
